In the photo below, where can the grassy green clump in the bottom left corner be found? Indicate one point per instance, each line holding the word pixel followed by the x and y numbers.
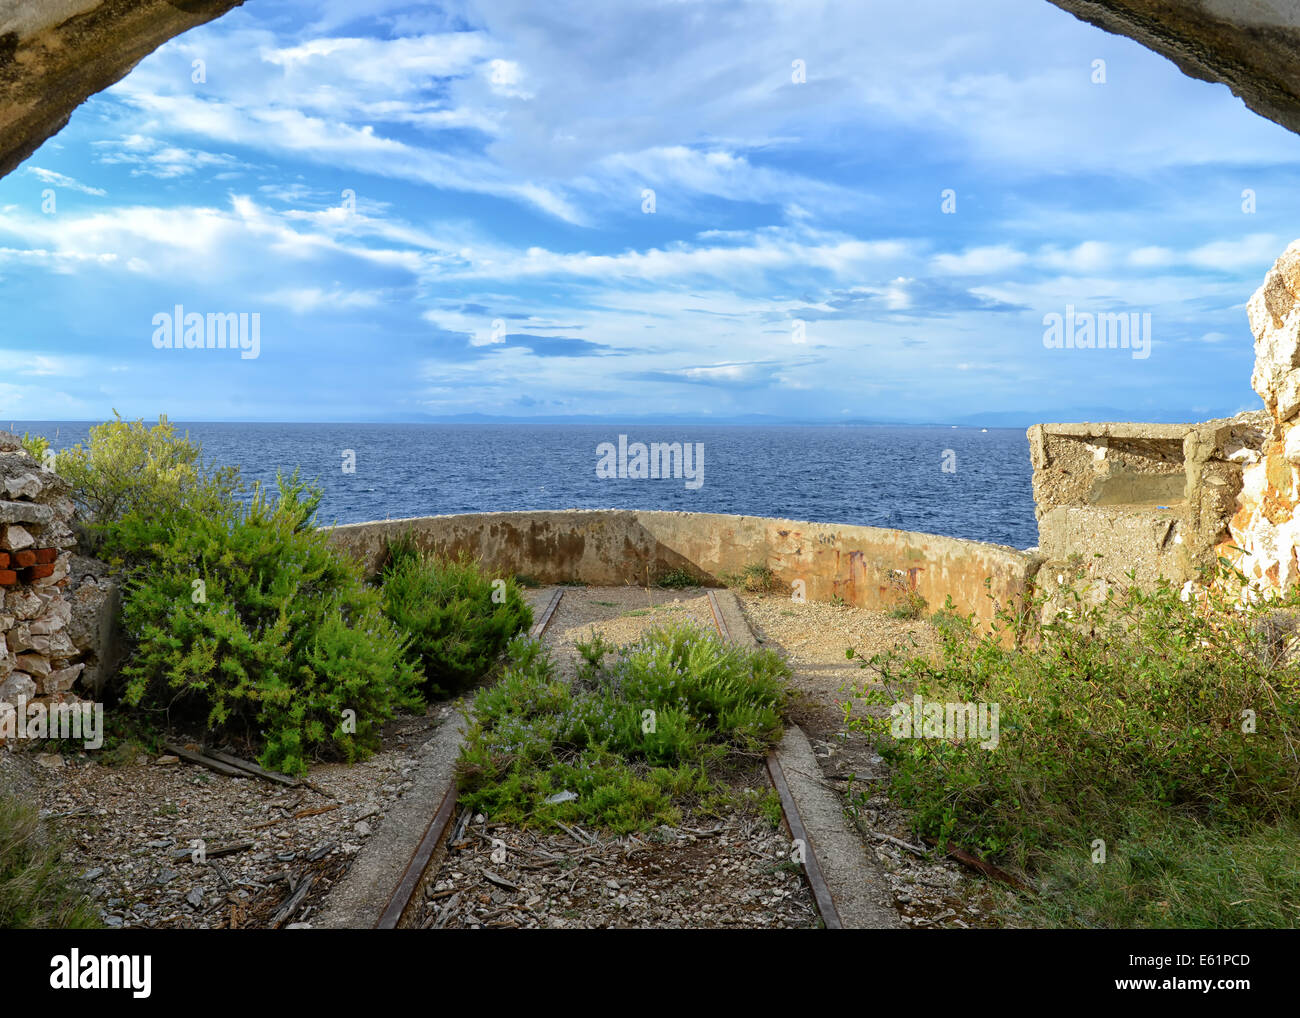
pixel 36 890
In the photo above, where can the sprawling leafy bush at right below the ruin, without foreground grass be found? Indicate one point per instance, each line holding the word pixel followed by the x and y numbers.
pixel 1141 713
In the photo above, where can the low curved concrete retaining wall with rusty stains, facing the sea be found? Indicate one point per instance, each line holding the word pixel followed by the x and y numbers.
pixel 866 566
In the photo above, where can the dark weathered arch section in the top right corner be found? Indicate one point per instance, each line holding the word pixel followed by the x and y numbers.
pixel 1251 46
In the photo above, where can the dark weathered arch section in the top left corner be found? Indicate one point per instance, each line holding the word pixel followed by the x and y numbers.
pixel 57 54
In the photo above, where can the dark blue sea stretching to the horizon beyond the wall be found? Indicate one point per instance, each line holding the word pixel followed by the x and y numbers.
pixel 860 475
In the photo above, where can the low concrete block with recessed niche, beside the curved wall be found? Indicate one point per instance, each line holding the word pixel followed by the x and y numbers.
pixel 1152 499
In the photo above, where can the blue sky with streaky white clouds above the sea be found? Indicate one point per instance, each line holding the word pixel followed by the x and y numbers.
pixel 812 211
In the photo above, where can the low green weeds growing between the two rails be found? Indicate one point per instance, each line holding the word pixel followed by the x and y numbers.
pixel 645 731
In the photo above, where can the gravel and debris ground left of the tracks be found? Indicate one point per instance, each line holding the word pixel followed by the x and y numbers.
pixel 131 830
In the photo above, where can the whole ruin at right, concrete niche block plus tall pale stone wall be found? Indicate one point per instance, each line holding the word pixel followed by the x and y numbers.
pixel 1241 476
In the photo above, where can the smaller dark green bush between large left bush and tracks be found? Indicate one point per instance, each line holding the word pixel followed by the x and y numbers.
pixel 460 620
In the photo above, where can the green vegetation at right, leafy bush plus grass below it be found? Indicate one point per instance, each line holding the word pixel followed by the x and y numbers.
pixel 1147 769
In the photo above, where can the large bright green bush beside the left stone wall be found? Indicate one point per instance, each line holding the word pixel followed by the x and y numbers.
pixel 249 622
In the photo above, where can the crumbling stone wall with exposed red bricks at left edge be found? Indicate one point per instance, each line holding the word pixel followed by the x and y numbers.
pixel 58 612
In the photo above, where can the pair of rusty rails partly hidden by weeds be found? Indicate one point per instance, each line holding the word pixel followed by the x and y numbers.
pixel 400 902
